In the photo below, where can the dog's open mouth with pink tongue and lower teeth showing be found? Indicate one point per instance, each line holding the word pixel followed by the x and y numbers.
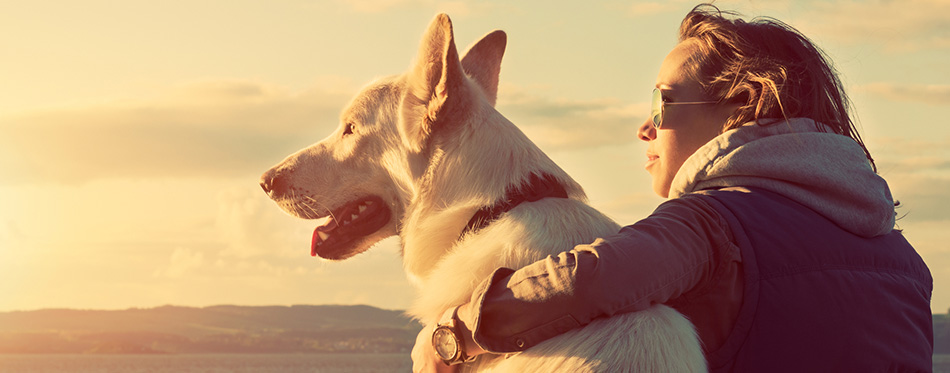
pixel 347 224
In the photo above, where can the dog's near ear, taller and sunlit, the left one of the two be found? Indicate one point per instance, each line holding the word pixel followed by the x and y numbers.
pixel 434 84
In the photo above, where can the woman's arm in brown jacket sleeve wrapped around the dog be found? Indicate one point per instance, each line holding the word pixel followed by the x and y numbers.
pixel 672 252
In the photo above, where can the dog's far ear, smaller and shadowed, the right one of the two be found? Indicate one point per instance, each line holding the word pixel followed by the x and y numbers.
pixel 482 62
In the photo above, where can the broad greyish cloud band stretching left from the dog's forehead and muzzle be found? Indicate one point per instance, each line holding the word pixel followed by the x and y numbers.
pixel 210 129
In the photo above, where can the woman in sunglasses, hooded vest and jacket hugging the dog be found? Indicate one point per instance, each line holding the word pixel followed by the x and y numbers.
pixel 777 241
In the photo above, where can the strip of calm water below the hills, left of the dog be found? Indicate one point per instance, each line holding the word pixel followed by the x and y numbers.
pixel 206 363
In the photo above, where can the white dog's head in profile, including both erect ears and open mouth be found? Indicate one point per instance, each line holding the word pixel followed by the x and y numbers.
pixel 364 175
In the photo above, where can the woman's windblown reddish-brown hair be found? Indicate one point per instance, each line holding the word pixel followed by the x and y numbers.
pixel 769 68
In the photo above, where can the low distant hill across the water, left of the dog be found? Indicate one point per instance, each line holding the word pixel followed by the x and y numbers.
pixel 217 329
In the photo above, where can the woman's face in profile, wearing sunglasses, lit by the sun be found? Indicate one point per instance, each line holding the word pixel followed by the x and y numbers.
pixel 684 128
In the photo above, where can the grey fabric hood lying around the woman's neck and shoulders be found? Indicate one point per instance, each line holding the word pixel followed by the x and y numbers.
pixel 825 171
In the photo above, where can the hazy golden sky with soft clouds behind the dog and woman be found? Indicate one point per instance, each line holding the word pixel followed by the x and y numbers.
pixel 133 134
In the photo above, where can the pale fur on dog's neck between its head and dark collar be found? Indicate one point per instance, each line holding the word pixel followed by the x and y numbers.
pixel 447 195
